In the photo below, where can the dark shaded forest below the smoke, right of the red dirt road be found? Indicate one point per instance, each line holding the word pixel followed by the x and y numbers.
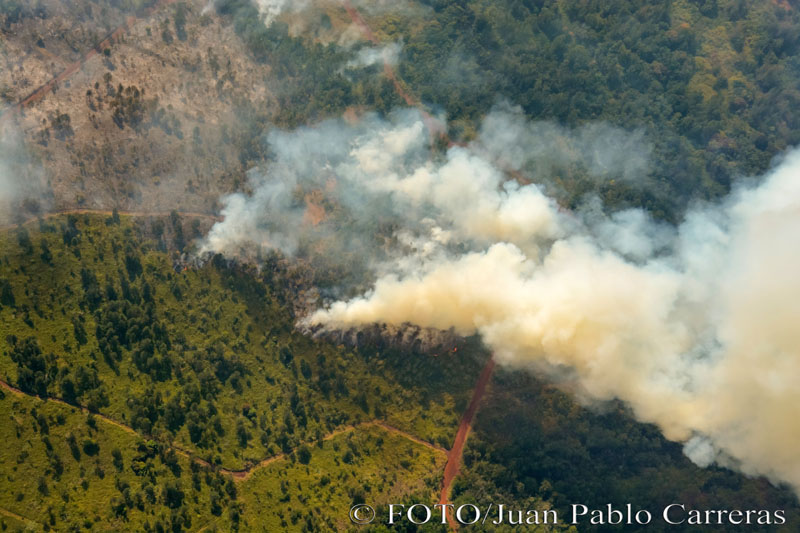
pixel 533 445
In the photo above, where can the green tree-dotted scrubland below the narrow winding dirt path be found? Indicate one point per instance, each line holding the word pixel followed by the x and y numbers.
pixel 66 471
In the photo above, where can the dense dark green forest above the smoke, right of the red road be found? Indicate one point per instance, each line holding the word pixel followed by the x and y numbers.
pixel 712 82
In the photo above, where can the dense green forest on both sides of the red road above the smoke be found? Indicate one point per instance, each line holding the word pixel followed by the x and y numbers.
pixel 712 82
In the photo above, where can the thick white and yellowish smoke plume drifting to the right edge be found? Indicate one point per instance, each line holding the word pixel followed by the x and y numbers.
pixel 693 326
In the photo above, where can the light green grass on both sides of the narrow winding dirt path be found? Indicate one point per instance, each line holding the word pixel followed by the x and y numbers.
pixel 232 309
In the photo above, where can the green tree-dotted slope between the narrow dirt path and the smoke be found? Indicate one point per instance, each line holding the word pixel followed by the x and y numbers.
pixel 207 357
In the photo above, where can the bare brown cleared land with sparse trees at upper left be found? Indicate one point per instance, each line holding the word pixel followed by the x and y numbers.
pixel 196 100
